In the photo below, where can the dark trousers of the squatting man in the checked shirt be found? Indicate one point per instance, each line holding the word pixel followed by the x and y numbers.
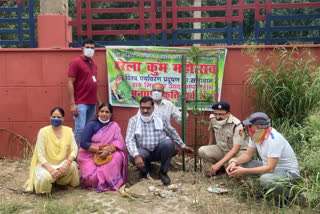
pixel 163 153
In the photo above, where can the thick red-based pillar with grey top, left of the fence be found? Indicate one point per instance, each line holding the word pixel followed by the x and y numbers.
pixel 54 30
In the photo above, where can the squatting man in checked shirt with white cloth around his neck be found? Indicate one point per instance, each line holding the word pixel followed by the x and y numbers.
pixel 146 140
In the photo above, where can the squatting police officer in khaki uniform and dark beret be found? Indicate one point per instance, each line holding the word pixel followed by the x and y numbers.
pixel 226 139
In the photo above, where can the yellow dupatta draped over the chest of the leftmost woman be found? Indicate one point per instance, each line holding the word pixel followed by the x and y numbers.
pixel 56 150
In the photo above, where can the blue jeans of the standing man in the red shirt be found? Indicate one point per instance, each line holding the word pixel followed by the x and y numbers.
pixel 86 113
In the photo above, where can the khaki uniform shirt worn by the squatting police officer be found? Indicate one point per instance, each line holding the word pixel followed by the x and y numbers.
pixel 231 133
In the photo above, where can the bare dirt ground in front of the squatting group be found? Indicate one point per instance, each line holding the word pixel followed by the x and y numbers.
pixel 189 196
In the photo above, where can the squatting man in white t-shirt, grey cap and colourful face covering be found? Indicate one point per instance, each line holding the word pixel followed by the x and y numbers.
pixel 279 164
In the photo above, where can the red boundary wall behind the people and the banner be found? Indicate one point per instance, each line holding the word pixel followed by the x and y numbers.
pixel 33 81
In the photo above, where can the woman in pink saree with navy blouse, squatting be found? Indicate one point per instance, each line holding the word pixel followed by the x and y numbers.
pixel 103 155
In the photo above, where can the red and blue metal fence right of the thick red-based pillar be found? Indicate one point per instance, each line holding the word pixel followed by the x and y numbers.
pixel 171 22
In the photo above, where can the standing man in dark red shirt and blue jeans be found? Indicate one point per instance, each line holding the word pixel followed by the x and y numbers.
pixel 83 88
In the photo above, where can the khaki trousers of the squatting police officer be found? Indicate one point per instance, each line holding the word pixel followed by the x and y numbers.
pixel 213 154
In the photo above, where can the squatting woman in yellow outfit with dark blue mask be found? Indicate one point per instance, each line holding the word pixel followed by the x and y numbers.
pixel 52 160
